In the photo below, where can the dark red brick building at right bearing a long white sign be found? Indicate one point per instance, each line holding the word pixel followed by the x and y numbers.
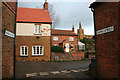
pixel 107 28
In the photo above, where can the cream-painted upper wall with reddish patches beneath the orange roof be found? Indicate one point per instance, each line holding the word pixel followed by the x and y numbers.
pixel 28 29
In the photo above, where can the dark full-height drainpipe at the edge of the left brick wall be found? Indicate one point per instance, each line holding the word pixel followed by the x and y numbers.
pixel 14 56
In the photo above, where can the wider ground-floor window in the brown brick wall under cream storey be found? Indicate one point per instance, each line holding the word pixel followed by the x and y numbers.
pixel 37 50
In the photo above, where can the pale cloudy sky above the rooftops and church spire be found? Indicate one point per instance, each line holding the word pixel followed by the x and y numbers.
pixel 69 12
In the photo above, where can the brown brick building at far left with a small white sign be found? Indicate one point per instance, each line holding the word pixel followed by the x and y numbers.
pixel 7 39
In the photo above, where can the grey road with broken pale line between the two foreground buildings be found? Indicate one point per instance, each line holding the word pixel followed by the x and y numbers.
pixel 75 69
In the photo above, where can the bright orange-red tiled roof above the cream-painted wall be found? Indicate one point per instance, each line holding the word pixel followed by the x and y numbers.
pixel 32 15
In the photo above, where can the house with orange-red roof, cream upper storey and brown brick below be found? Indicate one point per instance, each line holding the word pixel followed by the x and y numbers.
pixel 33 34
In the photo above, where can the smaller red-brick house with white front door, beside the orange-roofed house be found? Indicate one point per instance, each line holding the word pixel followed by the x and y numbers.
pixel 66 39
